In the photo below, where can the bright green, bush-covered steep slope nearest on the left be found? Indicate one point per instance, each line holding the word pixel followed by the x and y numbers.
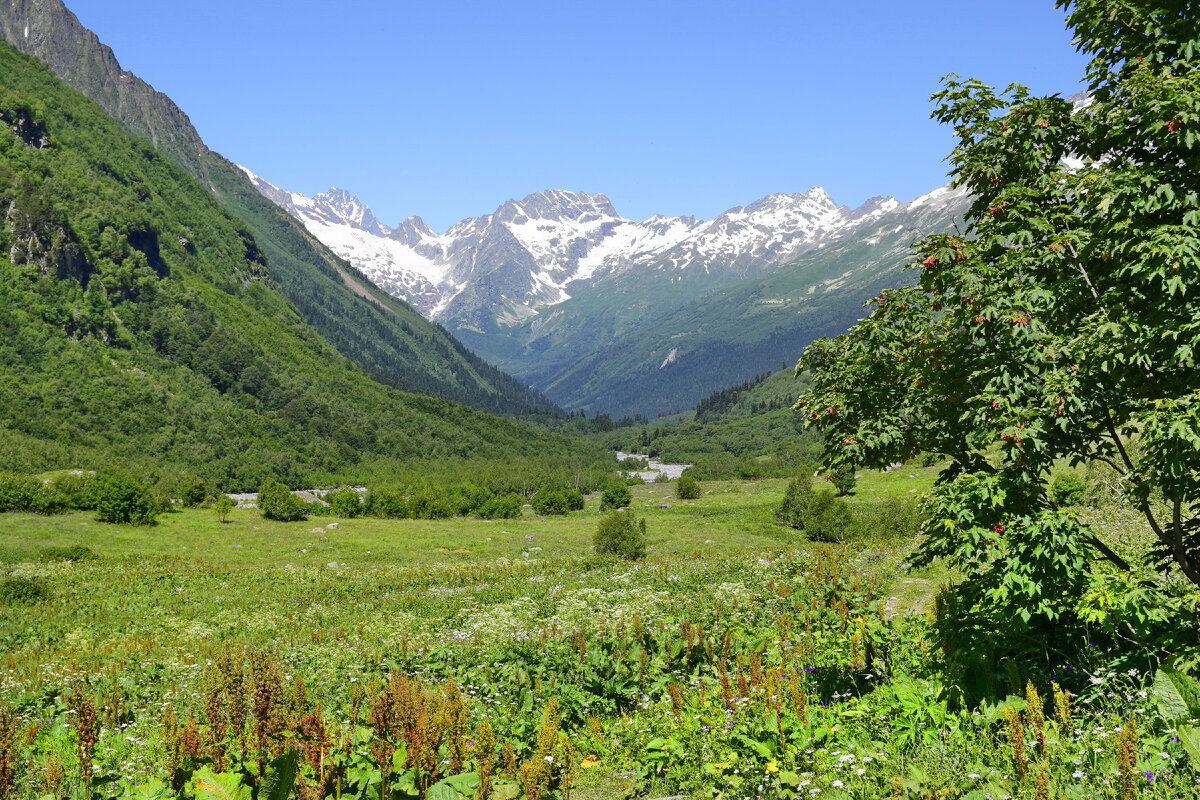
pixel 139 324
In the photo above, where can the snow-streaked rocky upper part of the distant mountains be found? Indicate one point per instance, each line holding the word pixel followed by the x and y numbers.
pixel 507 267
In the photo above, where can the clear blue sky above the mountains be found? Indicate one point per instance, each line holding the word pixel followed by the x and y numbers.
pixel 446 110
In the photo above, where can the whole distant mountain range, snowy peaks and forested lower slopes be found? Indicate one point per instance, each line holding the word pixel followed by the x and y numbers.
pixel 604 314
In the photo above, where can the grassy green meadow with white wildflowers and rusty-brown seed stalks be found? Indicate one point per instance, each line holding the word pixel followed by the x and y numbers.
pixel 736 659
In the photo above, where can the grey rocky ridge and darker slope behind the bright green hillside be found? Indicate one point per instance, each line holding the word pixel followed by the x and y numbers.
pixel 386 336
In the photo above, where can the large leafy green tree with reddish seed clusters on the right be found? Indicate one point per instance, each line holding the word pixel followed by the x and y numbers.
pixel 1060 323
